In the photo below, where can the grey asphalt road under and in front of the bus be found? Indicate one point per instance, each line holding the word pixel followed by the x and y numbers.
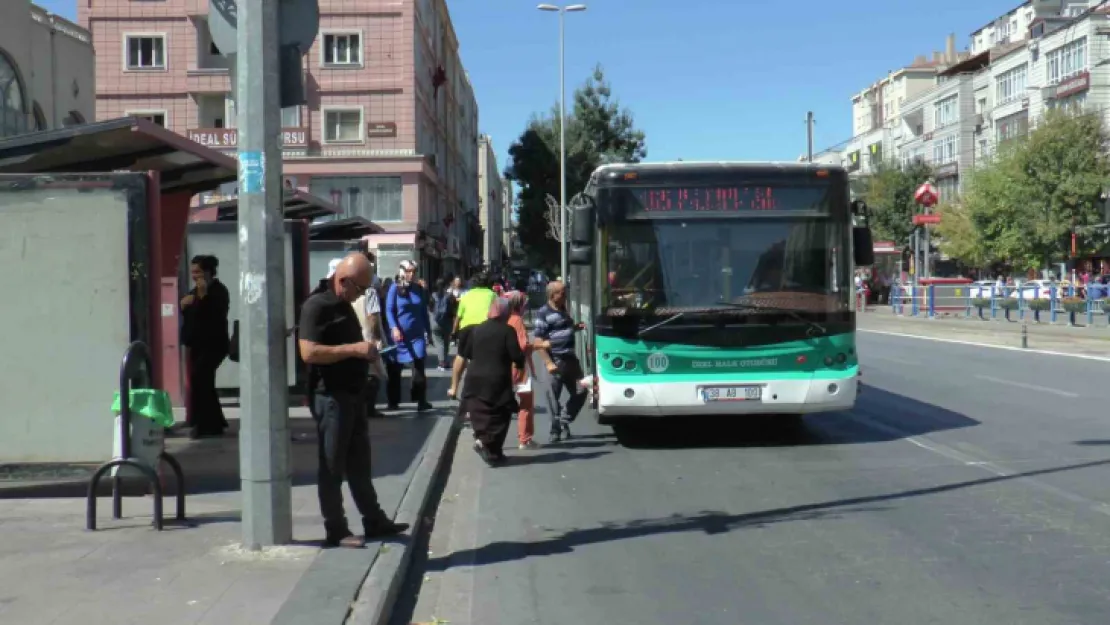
pixel 970 486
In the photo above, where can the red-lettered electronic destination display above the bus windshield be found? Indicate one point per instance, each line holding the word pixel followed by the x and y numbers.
pixel 728 199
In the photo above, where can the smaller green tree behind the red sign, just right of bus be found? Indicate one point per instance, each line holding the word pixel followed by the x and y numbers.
pixel 890 194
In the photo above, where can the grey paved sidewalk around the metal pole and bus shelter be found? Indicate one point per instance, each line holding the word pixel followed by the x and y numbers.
pixel 55 572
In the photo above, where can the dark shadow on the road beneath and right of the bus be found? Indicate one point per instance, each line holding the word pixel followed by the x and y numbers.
pixel 879 417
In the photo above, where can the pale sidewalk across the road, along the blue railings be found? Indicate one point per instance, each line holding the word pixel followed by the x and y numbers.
pixel 1059 337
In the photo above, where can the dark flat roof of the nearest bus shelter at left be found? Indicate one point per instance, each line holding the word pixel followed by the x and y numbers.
pixel 120 145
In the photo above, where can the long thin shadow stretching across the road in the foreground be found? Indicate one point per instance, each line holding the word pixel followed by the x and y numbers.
pixel 710 522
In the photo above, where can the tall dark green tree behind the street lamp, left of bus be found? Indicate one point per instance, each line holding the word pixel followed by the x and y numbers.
pixel 599 132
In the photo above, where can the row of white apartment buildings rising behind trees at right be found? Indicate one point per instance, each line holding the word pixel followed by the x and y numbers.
pixel 1043 54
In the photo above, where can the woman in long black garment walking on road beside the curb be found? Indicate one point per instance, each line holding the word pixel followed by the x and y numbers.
pixel 489 395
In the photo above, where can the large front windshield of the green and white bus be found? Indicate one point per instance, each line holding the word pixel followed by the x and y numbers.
pixel 795 264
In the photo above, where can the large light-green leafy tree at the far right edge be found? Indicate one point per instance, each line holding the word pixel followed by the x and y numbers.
pixel 1025 204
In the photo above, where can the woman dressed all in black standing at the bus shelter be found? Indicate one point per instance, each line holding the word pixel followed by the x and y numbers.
pixel 205 335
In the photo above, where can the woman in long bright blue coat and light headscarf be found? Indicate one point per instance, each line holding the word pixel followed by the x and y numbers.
pixel 407 309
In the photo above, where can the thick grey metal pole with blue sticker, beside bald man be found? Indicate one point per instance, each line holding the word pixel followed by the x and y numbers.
pixel 265 439
